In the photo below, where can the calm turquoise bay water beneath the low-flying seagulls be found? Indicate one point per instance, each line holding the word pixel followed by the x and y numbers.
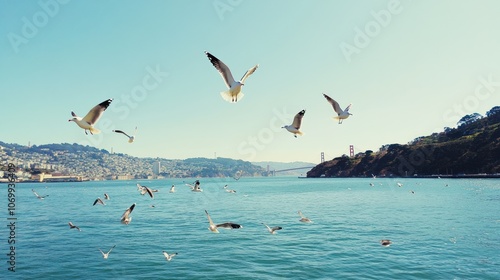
pixel 438 232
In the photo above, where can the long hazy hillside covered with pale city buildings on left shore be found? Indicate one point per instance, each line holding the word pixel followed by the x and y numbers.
pixel 93 163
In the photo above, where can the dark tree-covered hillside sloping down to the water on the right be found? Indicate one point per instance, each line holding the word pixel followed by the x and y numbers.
pixel 471 148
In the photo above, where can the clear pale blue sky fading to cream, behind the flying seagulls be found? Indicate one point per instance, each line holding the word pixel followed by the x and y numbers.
pixel 409 68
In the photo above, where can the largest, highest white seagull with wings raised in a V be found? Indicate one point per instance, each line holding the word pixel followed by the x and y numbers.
pixel 234 93
